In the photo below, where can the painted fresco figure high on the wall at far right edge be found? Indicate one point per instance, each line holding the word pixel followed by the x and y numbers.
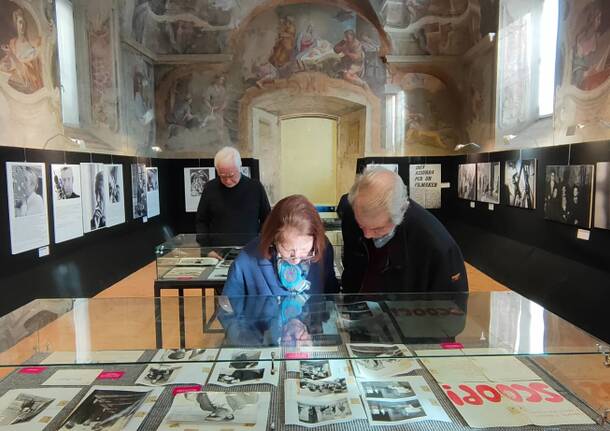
pixel 591 63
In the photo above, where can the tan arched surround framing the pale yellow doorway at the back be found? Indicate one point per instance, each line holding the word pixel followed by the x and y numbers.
pixel 356 111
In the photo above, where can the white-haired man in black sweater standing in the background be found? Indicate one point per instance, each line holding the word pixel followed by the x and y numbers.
pixel 231 203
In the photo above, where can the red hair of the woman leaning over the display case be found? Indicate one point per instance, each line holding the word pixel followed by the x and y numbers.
pixel 293 213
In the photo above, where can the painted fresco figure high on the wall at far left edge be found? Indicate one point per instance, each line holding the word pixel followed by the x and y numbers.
pixel 21 58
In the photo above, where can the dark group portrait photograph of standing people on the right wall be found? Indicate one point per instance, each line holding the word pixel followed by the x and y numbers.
pixel 568 194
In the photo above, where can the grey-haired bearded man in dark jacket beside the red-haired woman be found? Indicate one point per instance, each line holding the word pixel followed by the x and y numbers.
pixel 392 244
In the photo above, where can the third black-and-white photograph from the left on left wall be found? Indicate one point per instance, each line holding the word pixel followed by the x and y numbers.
pixel 94 186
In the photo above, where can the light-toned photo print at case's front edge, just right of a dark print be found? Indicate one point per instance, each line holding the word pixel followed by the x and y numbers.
pixel 218 410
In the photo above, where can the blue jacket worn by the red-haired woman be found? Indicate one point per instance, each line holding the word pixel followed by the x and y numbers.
pixel 252 274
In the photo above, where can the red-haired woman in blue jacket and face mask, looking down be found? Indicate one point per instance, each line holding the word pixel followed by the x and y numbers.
pixel 291 255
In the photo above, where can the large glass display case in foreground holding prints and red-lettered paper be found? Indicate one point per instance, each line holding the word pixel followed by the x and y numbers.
pixel 406 361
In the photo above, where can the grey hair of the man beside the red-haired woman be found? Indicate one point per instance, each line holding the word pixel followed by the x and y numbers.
pixel 381 195
